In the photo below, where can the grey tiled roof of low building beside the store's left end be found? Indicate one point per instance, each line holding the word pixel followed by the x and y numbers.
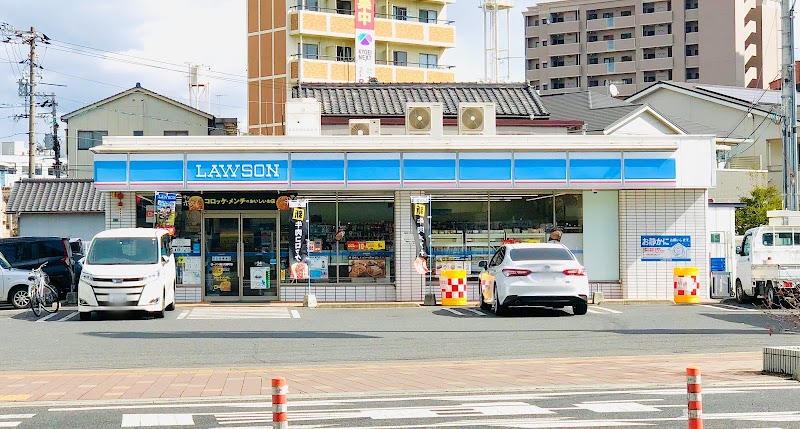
pixel 55 196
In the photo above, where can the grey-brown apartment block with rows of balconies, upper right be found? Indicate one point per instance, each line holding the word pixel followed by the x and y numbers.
pixel 591 44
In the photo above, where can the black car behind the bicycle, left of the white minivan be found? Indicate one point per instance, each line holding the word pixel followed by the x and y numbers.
pixel 28 253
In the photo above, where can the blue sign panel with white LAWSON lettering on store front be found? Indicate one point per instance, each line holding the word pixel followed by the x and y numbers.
pixel 237 171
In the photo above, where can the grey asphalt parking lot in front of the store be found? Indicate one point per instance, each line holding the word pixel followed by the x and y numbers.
pixel 222 336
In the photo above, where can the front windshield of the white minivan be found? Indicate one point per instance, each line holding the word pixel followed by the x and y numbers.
pixel 123 251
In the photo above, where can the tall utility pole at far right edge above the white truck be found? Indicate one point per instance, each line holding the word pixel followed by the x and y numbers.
pixel 789 131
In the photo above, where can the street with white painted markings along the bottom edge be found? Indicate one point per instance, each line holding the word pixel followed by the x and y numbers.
pixel 728 407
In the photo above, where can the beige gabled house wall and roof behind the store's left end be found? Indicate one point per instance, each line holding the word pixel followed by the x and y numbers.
pixel 134 112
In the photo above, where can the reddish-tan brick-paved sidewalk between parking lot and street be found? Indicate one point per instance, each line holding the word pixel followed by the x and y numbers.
pixel 379 377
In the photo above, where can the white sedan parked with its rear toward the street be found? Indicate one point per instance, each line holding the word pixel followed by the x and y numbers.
pixel 536 274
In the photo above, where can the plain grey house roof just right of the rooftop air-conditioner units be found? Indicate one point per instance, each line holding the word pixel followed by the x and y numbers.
pixel 597 110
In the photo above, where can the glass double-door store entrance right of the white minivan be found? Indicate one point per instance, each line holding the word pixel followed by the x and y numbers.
pixel 241 256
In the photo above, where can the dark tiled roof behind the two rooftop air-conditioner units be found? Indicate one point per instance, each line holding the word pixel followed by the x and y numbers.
pixel 388 99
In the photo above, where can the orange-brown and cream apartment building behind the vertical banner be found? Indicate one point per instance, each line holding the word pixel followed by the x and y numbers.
pixel 290 42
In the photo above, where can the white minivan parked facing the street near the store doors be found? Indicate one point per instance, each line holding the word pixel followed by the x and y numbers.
pixel 128 269
